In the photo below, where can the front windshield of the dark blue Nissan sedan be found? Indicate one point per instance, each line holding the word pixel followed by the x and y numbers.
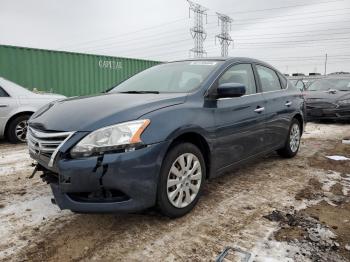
pixel 176 77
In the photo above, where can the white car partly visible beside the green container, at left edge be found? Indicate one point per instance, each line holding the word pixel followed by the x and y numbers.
pixel 17 104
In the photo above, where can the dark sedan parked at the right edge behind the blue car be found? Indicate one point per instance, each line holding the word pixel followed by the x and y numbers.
pixel 328 98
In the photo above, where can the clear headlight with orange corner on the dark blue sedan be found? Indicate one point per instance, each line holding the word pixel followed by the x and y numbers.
pixel 111 138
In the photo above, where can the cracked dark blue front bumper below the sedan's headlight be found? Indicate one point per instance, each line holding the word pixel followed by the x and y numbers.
pixel 120 182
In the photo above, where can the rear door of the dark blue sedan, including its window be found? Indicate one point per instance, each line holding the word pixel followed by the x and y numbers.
pixel 278 106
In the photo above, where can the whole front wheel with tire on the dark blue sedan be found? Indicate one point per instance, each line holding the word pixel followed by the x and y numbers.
pixel 181 180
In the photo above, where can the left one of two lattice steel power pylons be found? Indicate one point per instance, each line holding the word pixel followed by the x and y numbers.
pixel 197 31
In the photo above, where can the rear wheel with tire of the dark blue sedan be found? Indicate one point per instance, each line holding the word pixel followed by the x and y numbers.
pixel 292 144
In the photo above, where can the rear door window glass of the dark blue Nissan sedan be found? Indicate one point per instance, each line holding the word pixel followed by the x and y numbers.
pixel 268 79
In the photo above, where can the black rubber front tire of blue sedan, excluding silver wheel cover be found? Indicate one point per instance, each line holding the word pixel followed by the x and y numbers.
pixel 162 198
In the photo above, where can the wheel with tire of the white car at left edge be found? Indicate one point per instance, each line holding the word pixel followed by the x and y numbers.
pixel 17 129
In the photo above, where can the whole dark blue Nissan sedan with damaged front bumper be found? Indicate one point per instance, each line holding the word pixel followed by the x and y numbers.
pixel 155 139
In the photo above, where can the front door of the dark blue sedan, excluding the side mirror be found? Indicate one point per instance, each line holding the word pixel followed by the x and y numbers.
pixel 239 120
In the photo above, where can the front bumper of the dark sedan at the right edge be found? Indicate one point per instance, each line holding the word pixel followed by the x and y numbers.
pixel 342 112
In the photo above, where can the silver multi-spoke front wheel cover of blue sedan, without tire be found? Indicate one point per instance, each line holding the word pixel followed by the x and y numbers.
pixel 184 180
